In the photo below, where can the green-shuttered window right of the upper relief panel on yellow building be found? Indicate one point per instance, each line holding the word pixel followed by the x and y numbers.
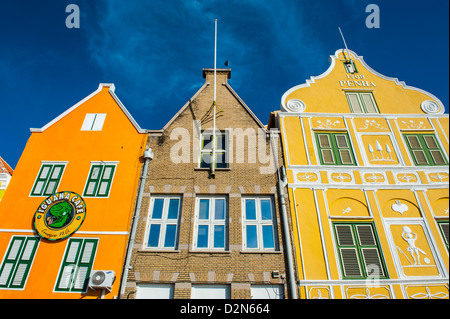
pixel 425 150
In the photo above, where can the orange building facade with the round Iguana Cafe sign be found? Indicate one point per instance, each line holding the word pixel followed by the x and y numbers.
pixel 66 214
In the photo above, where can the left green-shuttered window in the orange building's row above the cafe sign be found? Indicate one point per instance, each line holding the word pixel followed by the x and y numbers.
pixel 48 179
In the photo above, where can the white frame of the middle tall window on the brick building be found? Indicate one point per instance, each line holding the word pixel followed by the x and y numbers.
pixel 211 223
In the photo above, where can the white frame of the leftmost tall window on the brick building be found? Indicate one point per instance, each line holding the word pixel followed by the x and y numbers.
pixel 164 221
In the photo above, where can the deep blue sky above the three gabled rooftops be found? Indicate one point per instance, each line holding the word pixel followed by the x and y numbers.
pixel 154 52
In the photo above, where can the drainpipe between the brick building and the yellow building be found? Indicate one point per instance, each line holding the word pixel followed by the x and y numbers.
pixel 281 183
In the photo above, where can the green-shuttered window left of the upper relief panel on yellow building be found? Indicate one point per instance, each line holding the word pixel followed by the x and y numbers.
pixel 335 149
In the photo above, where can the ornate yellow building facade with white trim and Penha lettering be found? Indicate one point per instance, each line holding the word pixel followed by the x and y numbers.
pixel 366 158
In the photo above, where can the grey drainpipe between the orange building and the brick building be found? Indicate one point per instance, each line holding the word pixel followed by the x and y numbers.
pixel 148 155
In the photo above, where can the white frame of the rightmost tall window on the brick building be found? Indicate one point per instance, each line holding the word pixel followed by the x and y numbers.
pixel 259 223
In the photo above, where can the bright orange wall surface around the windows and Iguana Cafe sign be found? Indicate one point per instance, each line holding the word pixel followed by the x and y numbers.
pixel 106 219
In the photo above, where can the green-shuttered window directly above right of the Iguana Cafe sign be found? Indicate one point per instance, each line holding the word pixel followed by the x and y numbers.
pixel 99 180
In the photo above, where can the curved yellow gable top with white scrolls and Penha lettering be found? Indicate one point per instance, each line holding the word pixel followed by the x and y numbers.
pixel 326 93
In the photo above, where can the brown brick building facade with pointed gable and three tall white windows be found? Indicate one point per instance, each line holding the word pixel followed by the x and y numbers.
pixel 198 236
